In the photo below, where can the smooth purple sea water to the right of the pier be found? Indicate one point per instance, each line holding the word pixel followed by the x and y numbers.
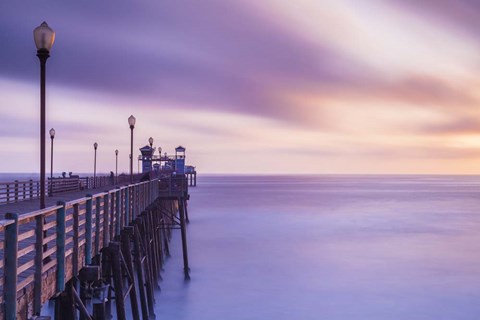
pixel 328 247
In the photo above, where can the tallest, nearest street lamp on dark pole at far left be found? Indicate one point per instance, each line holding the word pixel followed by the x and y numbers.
pixel 44 37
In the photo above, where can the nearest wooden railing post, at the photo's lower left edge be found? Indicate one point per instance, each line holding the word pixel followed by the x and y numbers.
pixel 10 269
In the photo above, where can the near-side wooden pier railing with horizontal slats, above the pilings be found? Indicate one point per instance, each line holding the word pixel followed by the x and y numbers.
pixel 51 245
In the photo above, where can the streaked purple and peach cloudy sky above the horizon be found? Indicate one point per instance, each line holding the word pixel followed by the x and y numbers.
pixel 247 86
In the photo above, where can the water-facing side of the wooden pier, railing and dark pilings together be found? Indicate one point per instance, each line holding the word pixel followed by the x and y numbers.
pixel 105 252
